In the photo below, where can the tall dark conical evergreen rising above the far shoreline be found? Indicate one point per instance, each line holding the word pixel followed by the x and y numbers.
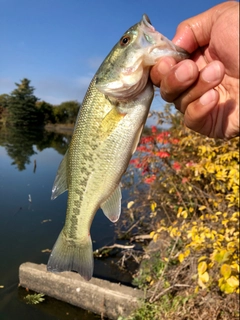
pixel 22 105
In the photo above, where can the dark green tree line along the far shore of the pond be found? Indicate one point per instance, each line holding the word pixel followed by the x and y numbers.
pixel 22 108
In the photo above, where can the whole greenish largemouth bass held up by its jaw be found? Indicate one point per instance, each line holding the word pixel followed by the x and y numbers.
pixel 106 134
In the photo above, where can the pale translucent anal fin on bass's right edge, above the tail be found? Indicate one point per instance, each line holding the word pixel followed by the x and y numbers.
pixel 112 206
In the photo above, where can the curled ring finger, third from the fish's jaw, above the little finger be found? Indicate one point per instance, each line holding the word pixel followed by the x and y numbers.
pixel 209 77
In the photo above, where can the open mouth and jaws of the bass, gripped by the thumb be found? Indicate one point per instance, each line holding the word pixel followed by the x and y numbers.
pixel 161 46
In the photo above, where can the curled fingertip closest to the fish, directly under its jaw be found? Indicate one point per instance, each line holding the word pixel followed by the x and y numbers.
pixel 161 68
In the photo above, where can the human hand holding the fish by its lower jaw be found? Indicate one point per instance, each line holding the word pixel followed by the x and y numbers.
pixel 205 88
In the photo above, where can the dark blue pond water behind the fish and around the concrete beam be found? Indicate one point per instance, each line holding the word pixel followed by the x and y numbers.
pixel 30 222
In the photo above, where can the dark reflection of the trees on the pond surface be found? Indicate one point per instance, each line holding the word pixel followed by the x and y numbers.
pixel 19 143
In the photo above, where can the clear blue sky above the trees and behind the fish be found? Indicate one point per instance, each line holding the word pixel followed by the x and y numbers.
pixel 59 44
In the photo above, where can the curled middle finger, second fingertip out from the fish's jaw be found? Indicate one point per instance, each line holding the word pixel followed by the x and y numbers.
pixel 178 79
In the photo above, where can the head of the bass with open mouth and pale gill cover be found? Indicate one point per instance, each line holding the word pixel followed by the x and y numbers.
pixel 129 76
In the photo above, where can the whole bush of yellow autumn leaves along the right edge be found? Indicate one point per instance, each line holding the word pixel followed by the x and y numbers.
pixel 211 227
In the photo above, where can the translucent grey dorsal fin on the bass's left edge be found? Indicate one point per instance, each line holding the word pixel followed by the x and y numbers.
pixel 60 183
